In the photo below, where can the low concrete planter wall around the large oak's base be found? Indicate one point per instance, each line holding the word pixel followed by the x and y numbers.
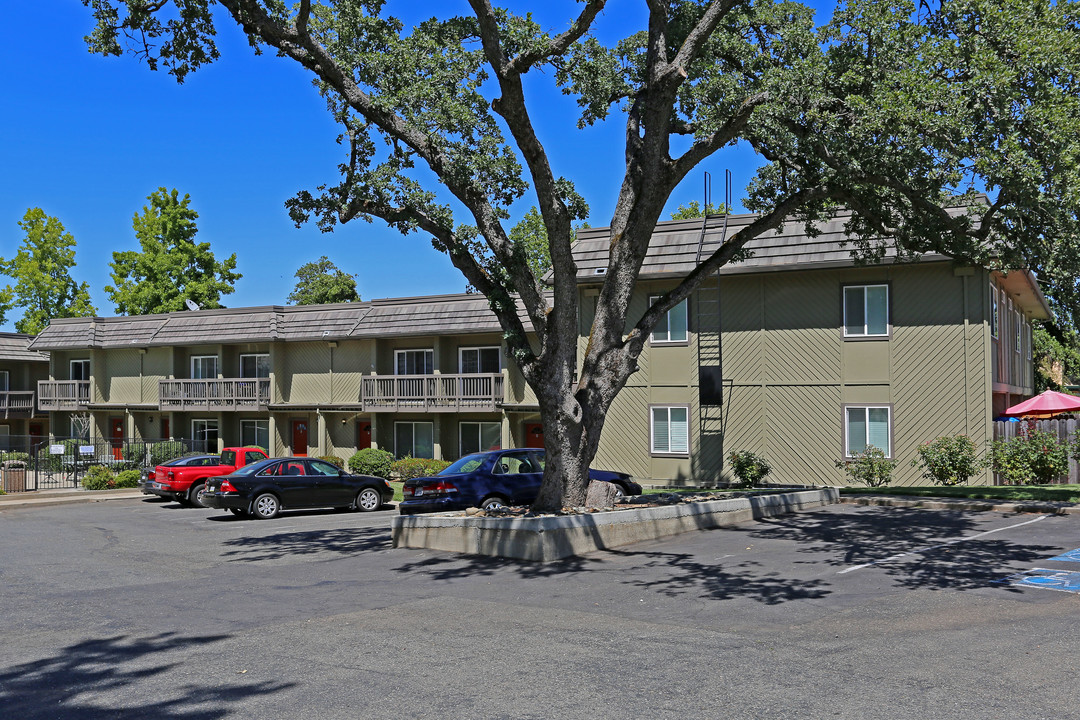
pixel 546 539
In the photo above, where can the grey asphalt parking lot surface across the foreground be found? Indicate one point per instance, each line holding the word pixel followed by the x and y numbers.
pixel 134 609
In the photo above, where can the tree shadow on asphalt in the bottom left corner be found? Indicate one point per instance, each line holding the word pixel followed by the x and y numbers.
pixel 82 681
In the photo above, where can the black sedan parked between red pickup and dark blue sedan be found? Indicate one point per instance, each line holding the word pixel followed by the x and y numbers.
pixel 266 488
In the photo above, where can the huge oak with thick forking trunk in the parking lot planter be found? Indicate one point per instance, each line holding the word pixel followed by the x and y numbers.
pixel 895 112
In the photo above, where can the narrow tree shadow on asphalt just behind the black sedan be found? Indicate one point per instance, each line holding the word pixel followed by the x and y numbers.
pixel 341 541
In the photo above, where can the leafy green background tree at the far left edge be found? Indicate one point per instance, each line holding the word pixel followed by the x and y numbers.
pixel 43 274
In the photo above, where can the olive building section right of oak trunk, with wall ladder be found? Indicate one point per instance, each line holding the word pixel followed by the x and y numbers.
pixel 805 357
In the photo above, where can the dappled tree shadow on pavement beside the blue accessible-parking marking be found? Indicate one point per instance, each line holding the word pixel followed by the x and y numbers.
pixel 892 538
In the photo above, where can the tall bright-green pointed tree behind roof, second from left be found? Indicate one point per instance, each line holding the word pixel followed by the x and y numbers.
pixel 170 267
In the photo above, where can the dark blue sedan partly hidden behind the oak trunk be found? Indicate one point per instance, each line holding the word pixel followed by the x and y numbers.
pixel 492 480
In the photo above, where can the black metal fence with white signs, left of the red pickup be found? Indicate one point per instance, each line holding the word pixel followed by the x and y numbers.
pixel 30 463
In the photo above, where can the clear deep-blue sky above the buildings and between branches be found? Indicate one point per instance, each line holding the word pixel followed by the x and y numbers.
pixel 88 139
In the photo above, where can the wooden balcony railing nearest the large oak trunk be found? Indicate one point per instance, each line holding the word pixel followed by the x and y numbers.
pixel 431 393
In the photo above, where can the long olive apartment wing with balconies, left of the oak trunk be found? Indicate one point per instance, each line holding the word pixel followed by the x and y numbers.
pixel 422 377
